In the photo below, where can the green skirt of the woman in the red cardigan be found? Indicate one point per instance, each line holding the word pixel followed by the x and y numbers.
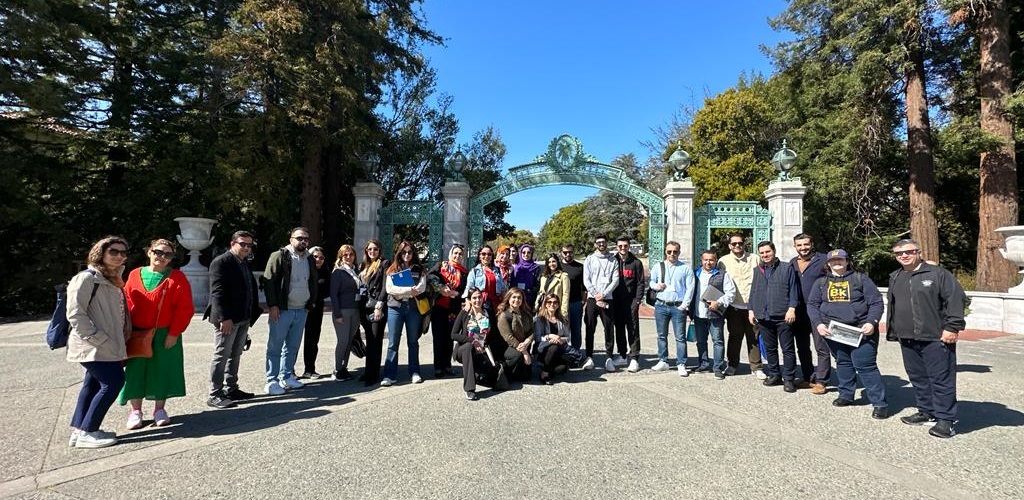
pixel 160 378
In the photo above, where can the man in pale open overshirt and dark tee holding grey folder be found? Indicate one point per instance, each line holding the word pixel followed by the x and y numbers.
pixel 712 297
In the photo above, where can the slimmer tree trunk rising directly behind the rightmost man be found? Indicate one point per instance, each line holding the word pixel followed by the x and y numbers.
pixel 923 226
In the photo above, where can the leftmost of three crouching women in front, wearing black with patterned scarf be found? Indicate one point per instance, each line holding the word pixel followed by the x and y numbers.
pixel 471 330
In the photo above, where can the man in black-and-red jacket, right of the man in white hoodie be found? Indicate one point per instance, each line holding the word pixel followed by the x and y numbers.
pixel 627 298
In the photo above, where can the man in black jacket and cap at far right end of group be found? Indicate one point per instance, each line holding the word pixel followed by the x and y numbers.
pixel 926 314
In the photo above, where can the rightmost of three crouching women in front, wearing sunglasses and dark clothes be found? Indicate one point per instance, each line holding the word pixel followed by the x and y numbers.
pixel 551 334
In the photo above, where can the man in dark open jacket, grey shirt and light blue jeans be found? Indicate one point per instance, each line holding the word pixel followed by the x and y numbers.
pixel 290 286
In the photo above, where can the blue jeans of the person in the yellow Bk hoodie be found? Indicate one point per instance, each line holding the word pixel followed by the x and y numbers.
pixel 862 360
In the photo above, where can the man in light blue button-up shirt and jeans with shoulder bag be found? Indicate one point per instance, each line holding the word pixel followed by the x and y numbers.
pixel 674 282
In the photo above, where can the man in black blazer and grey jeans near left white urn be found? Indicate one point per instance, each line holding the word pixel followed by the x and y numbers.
pixel 234 307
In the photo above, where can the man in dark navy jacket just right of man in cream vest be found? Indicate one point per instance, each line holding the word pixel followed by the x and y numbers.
pixel 775 299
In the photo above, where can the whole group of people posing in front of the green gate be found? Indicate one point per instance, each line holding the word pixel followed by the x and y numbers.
pixel 508 314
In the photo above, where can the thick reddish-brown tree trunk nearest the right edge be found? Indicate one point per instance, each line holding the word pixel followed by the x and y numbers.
pixel 998 202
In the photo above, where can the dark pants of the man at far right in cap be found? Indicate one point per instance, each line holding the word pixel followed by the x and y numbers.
pixel 931 366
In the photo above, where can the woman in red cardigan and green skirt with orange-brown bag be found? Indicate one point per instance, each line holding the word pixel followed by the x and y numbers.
pixel 152 289
